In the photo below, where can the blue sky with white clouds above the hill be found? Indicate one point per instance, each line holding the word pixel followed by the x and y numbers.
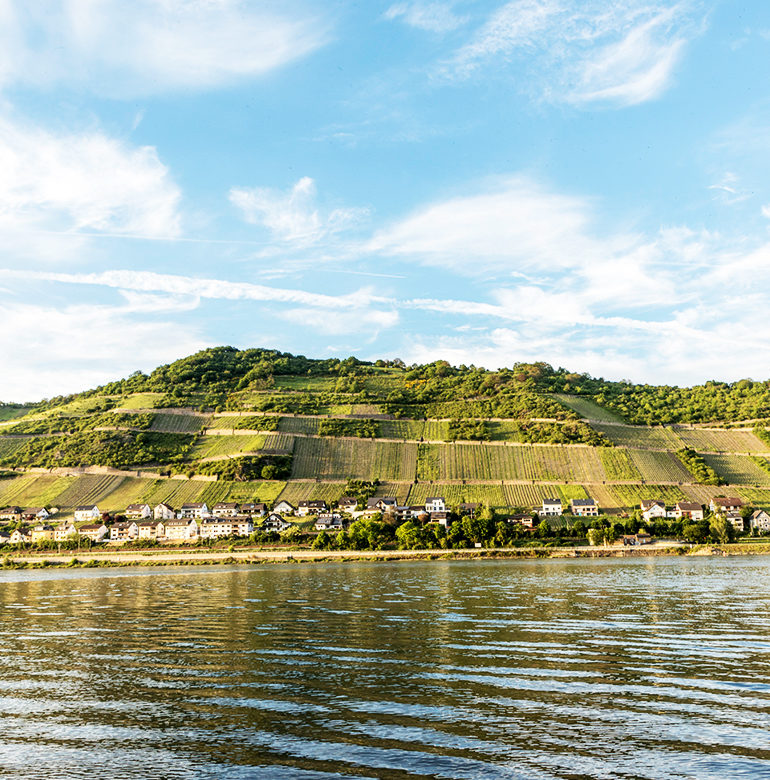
pixel 583 182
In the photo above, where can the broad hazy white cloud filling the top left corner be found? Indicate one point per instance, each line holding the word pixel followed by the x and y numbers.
pixel 150 46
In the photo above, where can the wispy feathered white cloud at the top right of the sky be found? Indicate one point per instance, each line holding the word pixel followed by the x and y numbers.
pixel 583 52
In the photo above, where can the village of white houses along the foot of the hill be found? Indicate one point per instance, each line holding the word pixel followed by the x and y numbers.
pixel 196 521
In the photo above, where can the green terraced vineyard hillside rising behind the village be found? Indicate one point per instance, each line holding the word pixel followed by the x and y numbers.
pixel 259 424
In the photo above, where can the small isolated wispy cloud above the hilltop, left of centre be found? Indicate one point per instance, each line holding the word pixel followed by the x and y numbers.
pixel 294 216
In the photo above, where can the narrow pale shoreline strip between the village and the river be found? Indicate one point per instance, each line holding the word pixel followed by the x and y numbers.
pixel 109 559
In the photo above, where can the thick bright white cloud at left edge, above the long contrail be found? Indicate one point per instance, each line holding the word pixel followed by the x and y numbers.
pixel 83 182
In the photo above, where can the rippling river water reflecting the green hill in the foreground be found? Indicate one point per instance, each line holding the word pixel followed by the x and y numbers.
pixel 642 668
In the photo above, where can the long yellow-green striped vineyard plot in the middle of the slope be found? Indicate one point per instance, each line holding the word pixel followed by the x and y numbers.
pixel 499 462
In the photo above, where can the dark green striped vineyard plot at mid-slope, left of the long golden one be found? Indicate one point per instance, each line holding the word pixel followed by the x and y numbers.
pixel 340 459
